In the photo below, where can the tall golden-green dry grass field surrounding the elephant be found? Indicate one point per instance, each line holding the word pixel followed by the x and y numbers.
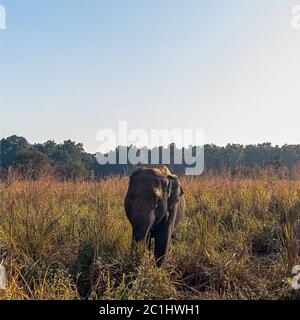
pixel 71 240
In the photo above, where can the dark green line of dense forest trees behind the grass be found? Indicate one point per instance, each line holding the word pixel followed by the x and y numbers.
pixel 70 161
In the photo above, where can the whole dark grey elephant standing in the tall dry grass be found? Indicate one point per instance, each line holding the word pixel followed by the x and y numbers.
pixel 154 205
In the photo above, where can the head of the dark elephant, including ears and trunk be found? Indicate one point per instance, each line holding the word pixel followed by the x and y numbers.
pixel 152 195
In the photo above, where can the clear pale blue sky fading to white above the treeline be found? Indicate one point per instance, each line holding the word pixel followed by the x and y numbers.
pixel 72 67
